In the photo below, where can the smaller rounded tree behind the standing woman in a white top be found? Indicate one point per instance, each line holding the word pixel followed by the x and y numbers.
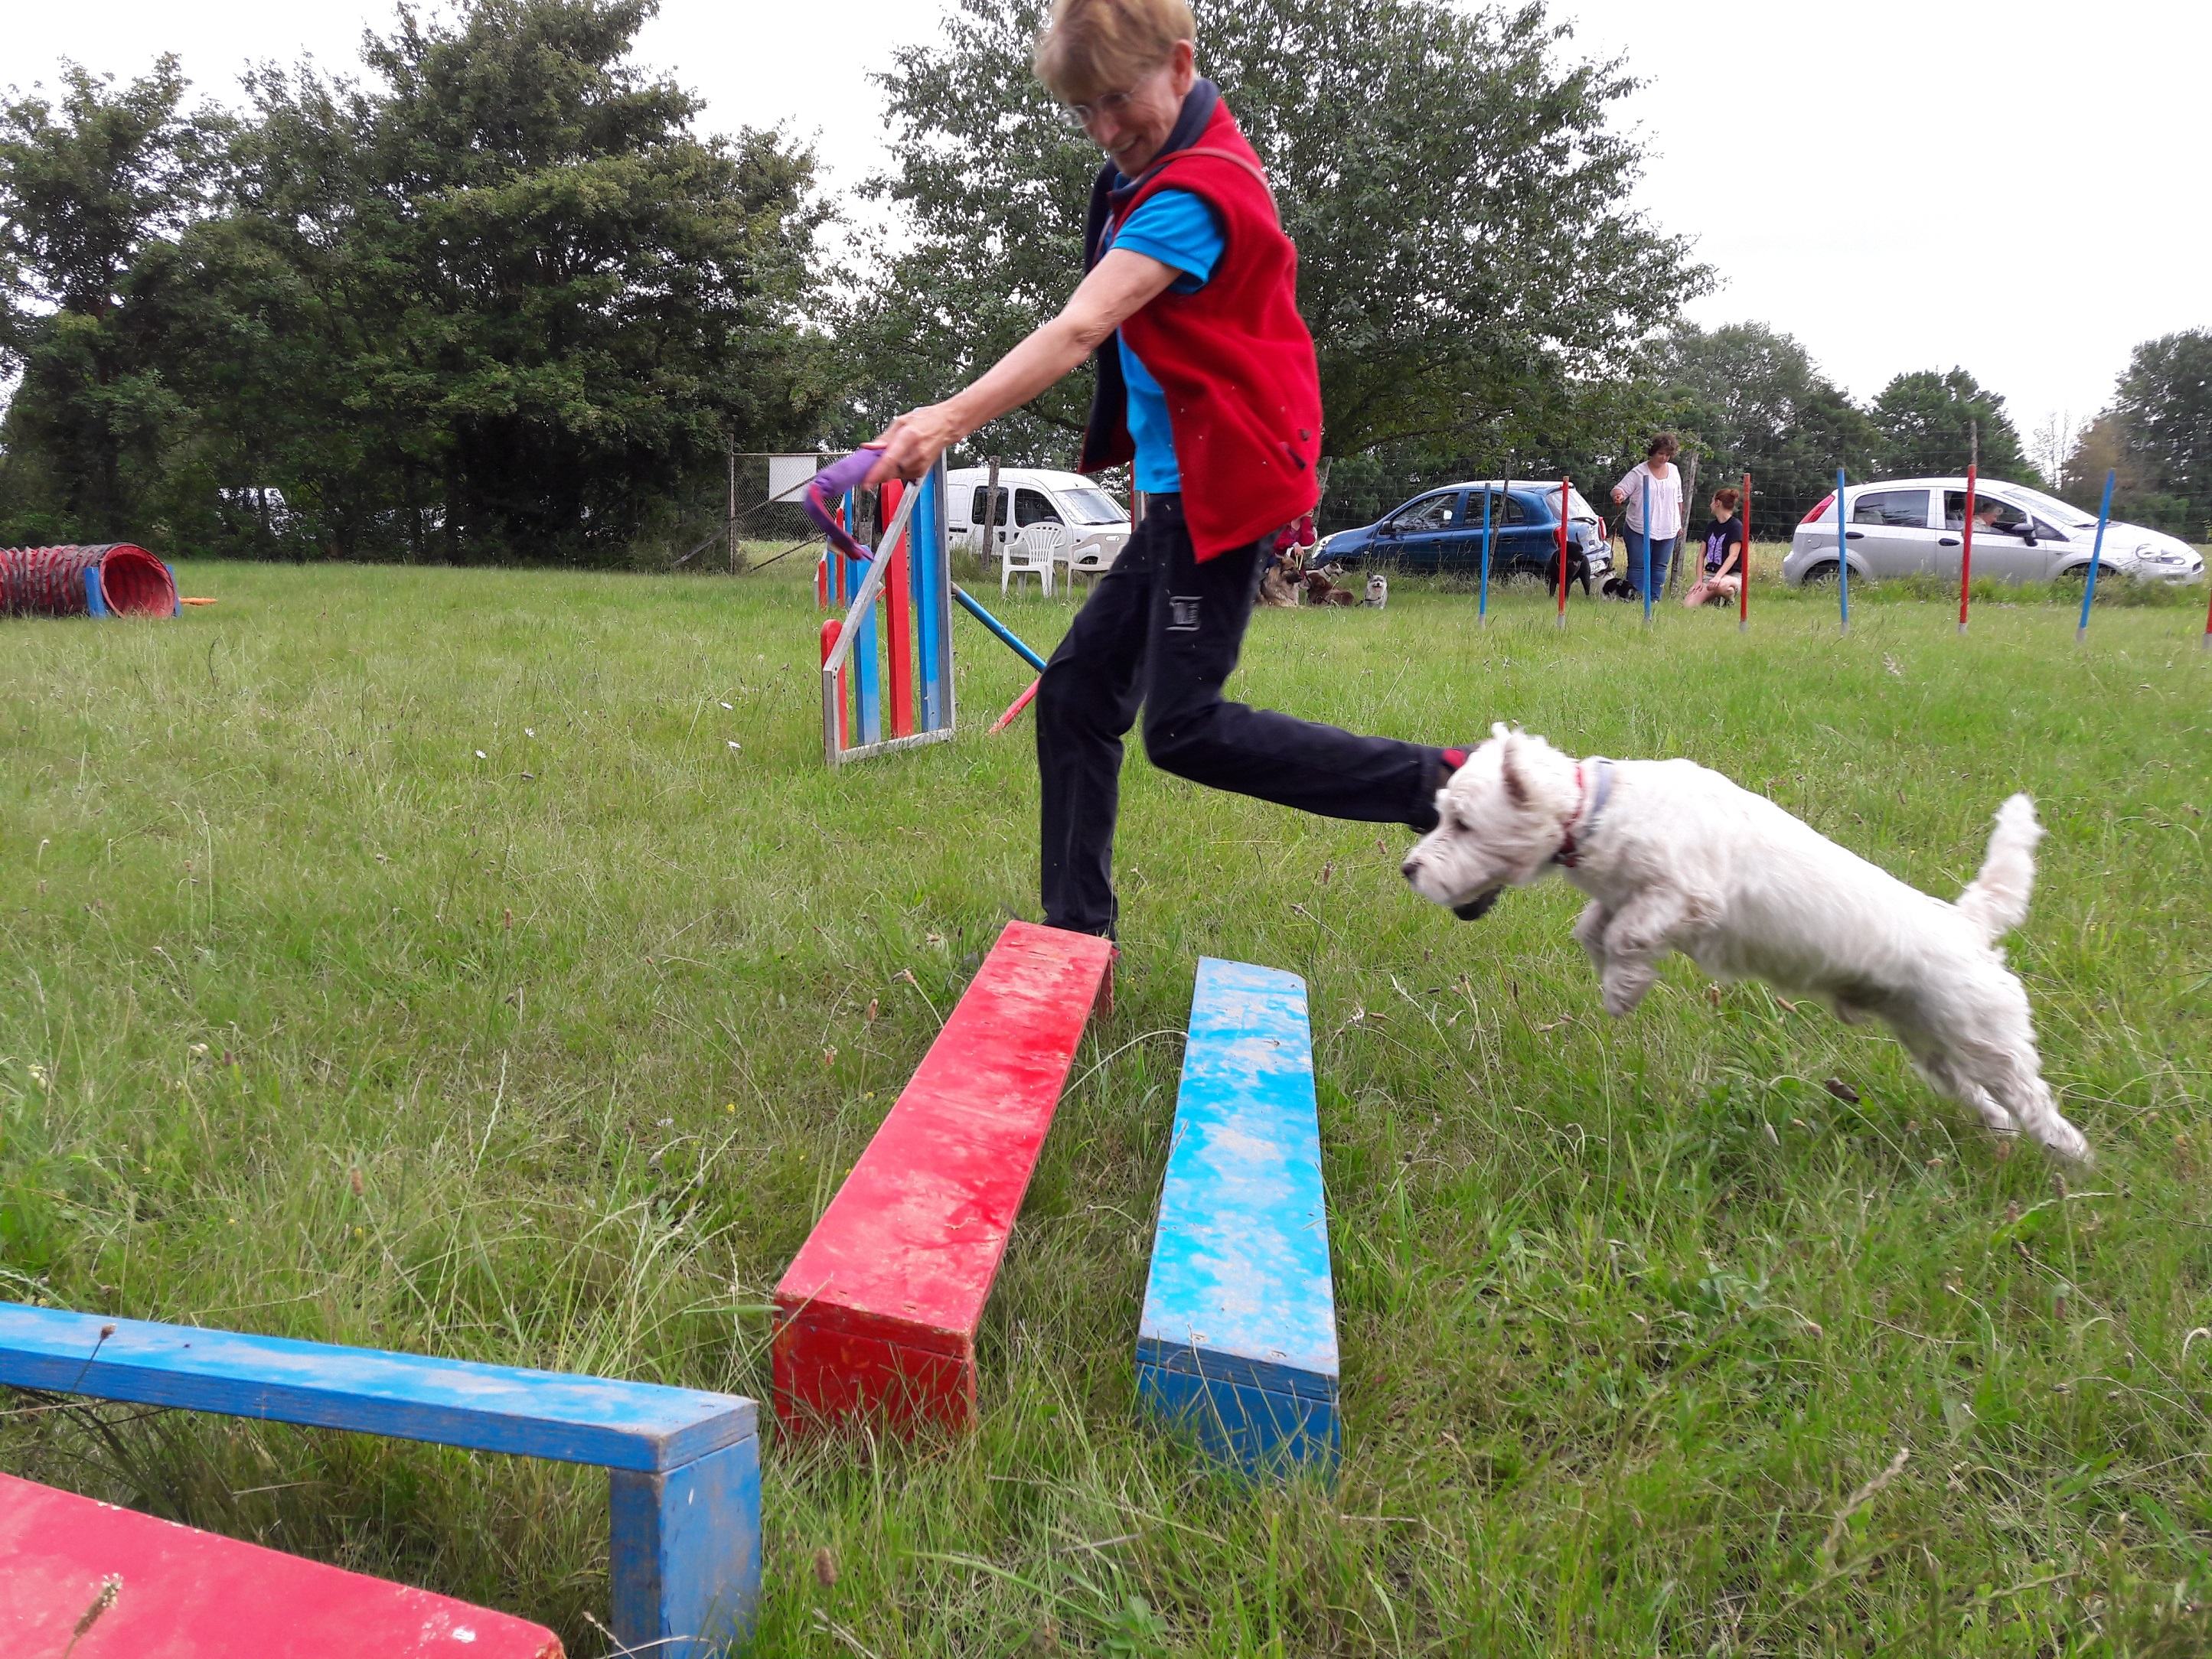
pixel 1751 399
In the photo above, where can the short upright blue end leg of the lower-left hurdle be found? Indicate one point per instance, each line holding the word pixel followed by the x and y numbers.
pixel 687 1554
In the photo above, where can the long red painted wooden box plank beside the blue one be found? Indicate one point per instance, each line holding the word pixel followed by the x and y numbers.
pixel 879 1311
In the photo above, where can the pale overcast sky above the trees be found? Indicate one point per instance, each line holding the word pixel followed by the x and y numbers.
pixel 1901 185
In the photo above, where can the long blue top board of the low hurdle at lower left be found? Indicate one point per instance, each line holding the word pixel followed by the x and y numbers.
pixel 410 1397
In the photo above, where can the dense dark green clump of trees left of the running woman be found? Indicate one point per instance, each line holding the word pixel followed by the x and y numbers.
pixel 503 302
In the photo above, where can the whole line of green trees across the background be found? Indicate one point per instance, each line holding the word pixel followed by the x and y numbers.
pixel 503 302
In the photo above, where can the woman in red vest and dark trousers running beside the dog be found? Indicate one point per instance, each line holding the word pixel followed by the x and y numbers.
pixel 1207 382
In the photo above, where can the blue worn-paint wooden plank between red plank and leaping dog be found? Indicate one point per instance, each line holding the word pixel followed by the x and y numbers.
pixel 1240 1317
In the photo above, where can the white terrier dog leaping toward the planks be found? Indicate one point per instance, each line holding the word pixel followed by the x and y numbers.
pixel 1680 859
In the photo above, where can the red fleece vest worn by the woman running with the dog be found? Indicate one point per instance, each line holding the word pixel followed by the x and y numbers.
pixel 1235 359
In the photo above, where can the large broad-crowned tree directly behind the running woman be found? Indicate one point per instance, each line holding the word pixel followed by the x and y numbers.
pixel 1468 255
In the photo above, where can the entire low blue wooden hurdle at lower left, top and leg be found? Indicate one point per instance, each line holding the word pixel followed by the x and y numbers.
pixel 685 1470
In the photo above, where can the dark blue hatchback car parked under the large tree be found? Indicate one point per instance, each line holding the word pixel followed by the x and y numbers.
pixel 1441 532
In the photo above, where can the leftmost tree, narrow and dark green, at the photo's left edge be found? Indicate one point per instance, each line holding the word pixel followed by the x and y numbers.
pixel 96 189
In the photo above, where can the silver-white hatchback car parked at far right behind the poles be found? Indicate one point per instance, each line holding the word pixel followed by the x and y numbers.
pixel 1919 525
